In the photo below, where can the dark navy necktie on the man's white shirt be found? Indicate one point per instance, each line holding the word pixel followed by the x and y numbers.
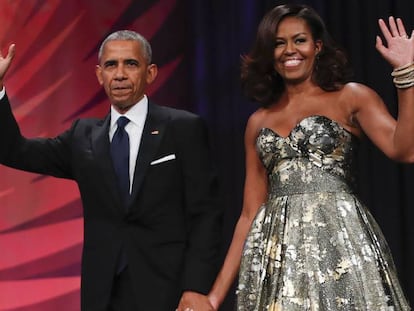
pixel 120 157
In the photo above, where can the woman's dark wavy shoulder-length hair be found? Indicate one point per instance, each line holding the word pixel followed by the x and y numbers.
pixel 261 83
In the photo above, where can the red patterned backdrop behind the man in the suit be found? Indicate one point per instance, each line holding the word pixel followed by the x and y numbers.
pixel 51 83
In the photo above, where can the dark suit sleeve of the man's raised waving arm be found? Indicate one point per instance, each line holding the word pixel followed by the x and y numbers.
pixel 49 156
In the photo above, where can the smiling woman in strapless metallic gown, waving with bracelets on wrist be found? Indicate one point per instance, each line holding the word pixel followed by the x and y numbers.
pixel 306 241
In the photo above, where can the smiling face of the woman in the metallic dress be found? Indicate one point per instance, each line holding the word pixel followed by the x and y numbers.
pixel 295 50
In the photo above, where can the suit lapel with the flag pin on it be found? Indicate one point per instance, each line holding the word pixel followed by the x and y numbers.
pixel 152 134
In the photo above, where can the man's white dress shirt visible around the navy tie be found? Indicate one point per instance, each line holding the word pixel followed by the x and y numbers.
pixel 136 115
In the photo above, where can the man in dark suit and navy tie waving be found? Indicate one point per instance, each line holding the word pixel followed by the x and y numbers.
pixel 153 246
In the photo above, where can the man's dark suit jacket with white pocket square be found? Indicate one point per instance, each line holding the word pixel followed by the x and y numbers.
pixel 171 231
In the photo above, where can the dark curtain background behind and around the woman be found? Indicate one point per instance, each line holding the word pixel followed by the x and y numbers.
pixel 224 30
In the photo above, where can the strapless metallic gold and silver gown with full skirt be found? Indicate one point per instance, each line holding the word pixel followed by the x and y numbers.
pixel 313 245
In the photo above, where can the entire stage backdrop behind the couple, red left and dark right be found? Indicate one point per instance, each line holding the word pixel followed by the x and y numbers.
pixel 197 44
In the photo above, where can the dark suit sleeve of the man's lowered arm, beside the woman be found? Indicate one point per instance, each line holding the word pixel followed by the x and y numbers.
pixel 203 209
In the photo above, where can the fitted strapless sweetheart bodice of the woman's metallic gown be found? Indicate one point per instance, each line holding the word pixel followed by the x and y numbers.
pixel 317 155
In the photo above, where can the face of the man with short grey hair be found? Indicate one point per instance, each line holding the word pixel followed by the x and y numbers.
pixel 124 73
